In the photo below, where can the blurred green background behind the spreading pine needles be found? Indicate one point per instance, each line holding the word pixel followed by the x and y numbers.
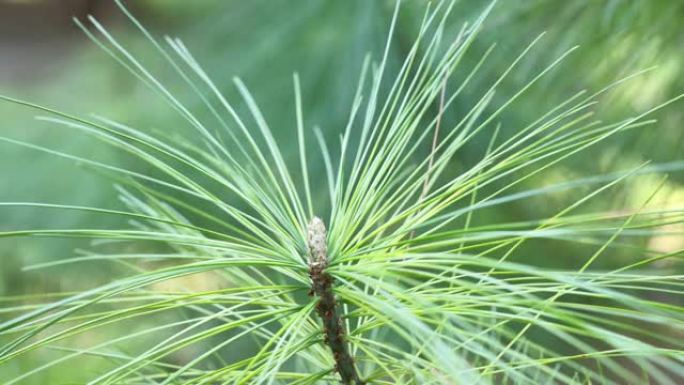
pixel 44 58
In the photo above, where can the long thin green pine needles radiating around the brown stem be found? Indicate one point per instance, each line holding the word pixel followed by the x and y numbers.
pixel 215 258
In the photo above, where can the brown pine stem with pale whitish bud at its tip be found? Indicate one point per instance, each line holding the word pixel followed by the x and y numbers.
pixel 327 309
